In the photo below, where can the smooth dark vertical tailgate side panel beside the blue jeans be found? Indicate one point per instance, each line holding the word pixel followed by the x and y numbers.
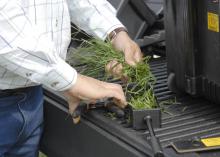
pixel 62 138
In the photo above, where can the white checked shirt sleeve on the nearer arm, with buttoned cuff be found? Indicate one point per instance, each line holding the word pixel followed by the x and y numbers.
pixel 24 52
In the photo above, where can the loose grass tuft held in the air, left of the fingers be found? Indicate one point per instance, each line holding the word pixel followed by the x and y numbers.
pixel 95 54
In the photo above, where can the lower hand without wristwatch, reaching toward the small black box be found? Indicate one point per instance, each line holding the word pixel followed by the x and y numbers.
pixel 89 89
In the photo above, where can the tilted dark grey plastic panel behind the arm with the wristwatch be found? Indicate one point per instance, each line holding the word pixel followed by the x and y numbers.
pixel 135 15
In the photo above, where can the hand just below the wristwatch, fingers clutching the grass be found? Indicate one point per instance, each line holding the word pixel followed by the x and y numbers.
pixel 131 50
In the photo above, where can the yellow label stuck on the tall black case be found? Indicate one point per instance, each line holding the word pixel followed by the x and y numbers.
pixel 213 22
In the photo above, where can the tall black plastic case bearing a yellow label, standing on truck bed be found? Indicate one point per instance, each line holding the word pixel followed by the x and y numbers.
pixel 193 49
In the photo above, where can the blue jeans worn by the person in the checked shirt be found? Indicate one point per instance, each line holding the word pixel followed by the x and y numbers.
pixel 21 122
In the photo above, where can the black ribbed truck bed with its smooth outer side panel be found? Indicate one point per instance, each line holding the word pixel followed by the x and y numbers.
pixel 99 135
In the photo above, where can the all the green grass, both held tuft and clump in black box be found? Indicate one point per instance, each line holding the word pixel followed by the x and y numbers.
pixel 95 54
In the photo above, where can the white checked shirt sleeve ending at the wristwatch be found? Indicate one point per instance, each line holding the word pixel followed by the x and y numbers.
pixel 96 17
